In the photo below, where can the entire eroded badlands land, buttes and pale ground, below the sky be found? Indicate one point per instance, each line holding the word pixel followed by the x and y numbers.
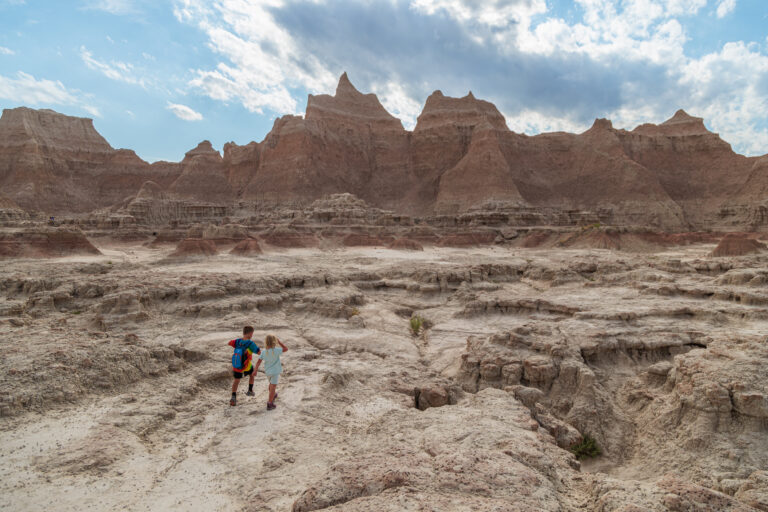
pixel 609 286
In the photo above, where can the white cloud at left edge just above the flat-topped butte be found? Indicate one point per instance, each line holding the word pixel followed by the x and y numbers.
pixel 27 90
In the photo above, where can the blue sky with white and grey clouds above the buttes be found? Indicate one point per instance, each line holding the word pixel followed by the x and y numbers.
pixel 160 76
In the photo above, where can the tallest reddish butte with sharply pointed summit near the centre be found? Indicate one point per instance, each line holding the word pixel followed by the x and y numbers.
pixel 345 143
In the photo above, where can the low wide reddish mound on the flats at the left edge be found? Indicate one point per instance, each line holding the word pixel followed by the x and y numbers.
pixel 44 242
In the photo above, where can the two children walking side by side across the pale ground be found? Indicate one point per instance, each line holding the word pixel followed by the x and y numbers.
pixel 242 364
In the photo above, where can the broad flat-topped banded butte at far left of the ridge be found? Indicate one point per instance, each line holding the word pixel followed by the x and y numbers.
pixel 60 164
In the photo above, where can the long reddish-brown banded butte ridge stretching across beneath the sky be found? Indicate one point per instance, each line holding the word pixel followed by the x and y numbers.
pixel 461 156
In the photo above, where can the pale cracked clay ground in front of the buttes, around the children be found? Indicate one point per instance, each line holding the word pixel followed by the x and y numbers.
pixel 115 376
